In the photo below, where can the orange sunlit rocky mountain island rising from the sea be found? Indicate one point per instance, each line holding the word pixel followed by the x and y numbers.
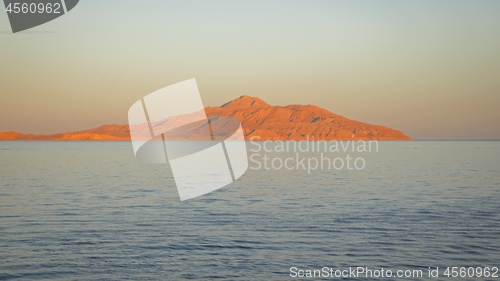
pixel 259 120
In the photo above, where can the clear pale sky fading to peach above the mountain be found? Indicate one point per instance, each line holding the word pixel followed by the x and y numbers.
pixel 428 68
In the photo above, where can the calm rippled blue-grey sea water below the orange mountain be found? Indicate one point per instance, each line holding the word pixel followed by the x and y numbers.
pixel 91 211
